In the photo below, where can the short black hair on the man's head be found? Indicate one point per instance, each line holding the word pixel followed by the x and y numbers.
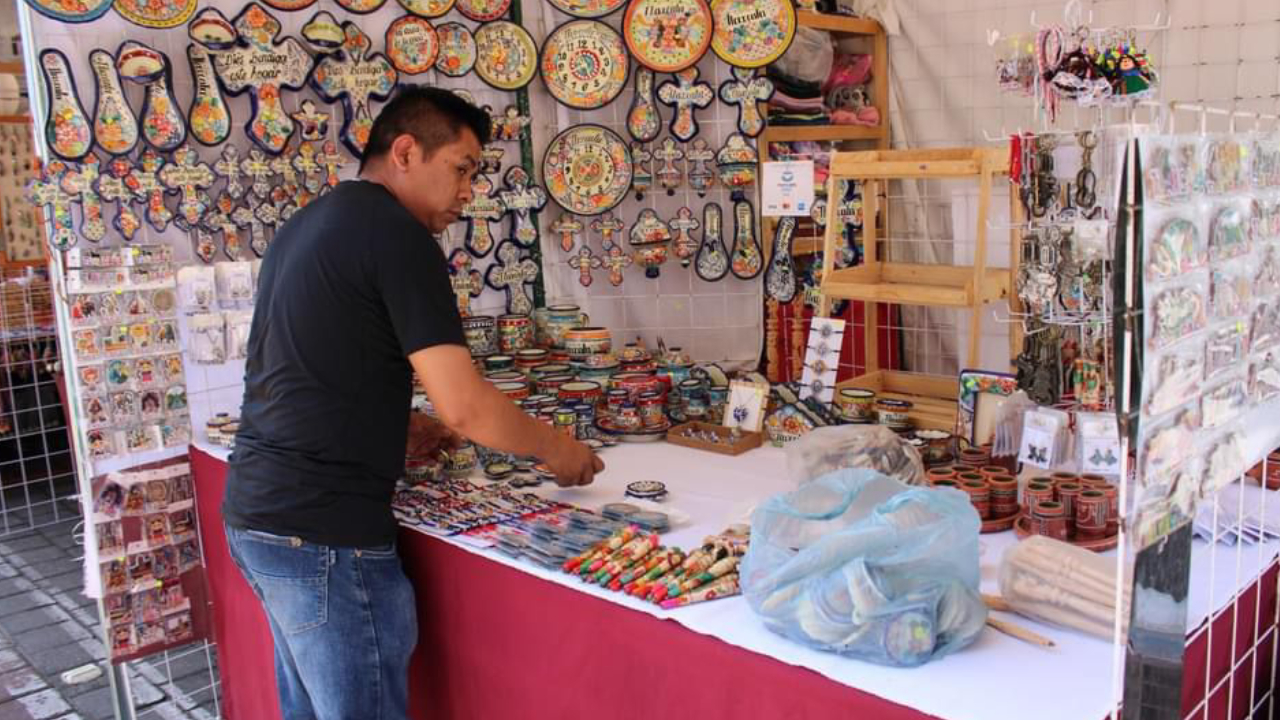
pixel 433 116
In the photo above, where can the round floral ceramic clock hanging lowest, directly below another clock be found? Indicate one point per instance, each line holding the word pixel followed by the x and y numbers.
pixel 588 170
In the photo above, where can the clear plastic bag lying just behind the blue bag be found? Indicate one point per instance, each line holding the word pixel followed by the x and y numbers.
pixel 876 448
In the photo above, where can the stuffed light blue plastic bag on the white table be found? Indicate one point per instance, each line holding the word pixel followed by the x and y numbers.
pixel 863 566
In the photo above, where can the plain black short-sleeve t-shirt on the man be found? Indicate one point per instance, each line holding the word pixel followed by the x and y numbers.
pixel 351 286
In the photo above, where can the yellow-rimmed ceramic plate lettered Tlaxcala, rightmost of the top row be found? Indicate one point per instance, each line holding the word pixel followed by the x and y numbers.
pixel 752 34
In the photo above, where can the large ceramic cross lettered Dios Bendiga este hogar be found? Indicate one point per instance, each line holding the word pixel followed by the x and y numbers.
pixel 266 69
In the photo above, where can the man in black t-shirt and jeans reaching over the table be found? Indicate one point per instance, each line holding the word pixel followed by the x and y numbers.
pixel 355 298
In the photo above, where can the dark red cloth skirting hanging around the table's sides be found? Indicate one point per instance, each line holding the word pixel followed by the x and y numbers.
pixel 496 642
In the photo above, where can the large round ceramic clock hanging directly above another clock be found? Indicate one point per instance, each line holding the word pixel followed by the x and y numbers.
pixel 584 65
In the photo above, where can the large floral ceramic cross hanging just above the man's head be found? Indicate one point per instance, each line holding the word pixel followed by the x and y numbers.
pixel 355 78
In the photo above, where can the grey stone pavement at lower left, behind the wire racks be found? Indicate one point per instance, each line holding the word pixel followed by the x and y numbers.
pixel 49 627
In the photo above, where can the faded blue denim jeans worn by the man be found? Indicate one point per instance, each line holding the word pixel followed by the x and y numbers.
pixel 344 622
